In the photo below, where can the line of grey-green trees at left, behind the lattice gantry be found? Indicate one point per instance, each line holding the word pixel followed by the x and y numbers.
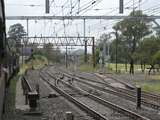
pixel 17 32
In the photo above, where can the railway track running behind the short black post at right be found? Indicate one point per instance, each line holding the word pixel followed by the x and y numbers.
pixel 151 103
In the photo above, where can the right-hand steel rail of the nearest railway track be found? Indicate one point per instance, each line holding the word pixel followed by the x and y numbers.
pixel 106 103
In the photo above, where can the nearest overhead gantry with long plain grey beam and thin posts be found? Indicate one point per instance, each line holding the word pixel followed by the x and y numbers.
pixel 84 18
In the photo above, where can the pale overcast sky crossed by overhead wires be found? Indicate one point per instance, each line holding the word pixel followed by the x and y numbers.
pixel 73 28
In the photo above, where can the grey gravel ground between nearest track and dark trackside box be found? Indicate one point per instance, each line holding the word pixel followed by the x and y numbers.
pixel 51 108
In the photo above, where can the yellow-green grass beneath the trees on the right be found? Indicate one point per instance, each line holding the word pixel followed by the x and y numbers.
pixel 150 83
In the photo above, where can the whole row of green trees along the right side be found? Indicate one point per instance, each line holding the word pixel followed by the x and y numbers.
pixel 136 42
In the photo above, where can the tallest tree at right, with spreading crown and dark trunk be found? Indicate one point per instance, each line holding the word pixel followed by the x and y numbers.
pixel 134 30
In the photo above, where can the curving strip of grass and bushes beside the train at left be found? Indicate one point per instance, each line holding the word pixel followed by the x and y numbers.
pixel 37 61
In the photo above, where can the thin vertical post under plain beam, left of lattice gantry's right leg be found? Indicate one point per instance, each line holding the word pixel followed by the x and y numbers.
pixel 85 51
